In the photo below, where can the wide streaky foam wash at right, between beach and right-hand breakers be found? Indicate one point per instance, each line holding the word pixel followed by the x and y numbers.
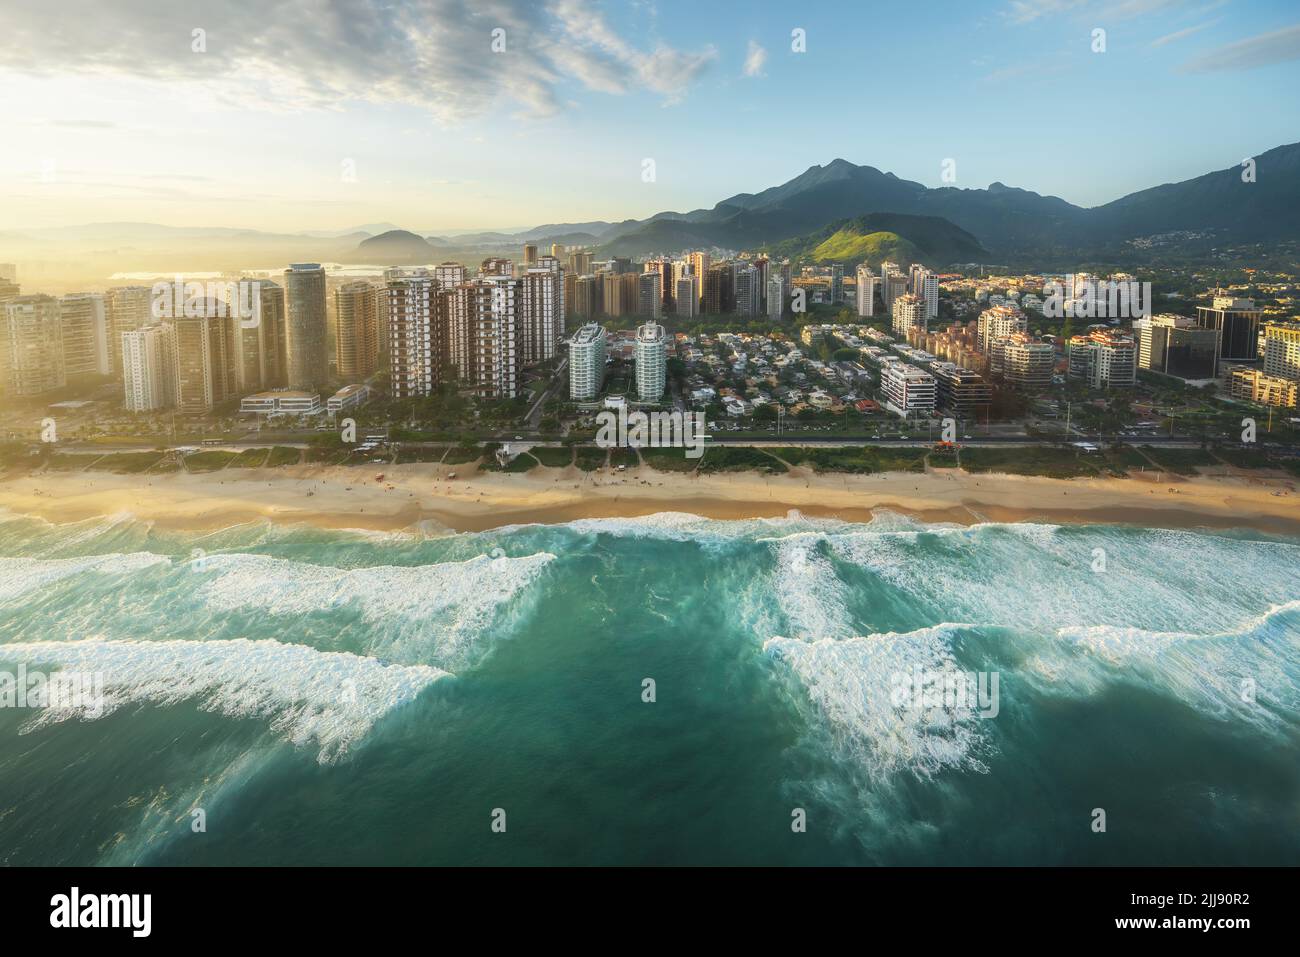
pixel 1045 578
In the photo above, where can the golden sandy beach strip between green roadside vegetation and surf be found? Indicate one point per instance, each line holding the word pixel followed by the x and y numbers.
pixel 353 497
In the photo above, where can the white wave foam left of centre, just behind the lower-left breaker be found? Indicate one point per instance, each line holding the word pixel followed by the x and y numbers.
pixel 457 600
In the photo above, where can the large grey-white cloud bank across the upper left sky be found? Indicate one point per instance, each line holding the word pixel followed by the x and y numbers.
pixel 319 54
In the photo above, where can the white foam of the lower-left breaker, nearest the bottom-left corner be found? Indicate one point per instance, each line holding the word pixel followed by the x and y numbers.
pixel 324 699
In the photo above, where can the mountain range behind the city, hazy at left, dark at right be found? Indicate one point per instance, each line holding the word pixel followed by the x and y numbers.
pixel 939 226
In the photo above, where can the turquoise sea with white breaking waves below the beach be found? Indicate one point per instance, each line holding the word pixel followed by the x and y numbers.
pixel 349 698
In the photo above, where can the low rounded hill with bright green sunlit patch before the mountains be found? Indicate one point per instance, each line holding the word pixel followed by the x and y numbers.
pixel 878 237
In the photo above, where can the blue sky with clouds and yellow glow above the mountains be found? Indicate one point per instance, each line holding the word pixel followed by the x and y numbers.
pixel 454 115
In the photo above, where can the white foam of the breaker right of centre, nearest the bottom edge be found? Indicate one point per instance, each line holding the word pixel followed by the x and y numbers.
pixel 851 683
